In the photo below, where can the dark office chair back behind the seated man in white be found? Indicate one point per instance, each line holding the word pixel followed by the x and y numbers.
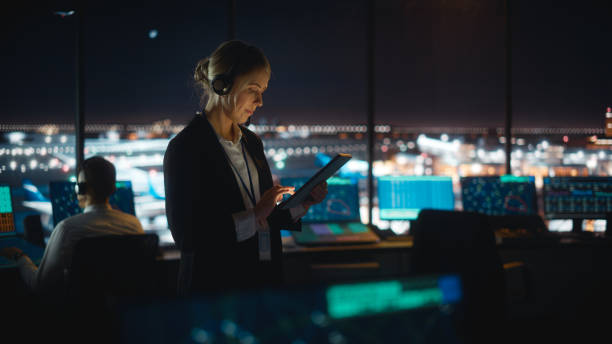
pixel 106 273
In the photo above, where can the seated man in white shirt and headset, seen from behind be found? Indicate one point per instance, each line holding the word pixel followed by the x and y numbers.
pixel 96 183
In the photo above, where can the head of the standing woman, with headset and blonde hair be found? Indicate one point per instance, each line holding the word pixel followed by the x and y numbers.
pixel 233 79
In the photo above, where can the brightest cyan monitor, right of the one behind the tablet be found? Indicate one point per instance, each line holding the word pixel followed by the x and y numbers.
pixel 403 197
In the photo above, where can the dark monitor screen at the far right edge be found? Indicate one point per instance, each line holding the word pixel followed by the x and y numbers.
pixel 577 197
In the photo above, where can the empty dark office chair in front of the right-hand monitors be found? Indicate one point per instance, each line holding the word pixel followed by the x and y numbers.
pixel 453 242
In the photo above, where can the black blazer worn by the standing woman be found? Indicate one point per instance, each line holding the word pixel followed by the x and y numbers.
pixel 201 196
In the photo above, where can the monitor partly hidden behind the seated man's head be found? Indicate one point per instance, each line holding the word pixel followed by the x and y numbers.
pixel 64 202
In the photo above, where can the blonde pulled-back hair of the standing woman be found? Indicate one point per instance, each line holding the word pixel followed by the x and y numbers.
pixel 231 57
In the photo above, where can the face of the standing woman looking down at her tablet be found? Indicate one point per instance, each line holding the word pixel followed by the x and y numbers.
pixel 250 96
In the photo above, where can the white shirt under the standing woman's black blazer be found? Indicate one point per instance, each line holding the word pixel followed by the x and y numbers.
pixel 246 226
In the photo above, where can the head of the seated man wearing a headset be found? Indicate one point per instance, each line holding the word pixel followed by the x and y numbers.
pixel 96 181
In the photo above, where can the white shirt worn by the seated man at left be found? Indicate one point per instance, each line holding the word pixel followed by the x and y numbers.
pixel 96 220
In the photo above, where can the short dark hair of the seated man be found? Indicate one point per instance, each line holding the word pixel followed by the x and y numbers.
pixel 100 176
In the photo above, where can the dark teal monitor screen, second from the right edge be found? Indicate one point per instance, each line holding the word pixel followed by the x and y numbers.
pixel 499 195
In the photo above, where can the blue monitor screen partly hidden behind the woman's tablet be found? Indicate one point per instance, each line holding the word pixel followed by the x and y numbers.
pixel 341 203
